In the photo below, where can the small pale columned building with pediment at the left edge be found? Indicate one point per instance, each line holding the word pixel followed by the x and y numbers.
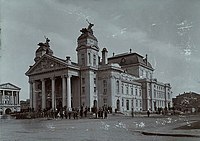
pixel 9 98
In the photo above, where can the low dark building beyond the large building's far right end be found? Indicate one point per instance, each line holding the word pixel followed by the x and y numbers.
pixel 187 102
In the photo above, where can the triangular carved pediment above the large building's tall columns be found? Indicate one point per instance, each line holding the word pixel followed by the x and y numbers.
pixel 46 64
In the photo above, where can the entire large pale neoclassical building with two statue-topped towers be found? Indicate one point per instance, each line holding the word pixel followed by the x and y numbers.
pixel 124 81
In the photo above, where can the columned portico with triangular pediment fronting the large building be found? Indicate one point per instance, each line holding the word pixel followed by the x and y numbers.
pixel 51 87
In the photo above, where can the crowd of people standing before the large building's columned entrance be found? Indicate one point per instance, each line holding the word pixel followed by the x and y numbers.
pixel 67 113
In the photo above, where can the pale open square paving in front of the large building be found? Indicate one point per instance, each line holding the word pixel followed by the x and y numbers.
pixel 115 128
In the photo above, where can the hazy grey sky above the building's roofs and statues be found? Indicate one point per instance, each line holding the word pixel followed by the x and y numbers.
pixel 167 30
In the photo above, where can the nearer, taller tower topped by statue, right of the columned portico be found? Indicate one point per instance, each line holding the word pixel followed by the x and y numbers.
pixel 88 60
